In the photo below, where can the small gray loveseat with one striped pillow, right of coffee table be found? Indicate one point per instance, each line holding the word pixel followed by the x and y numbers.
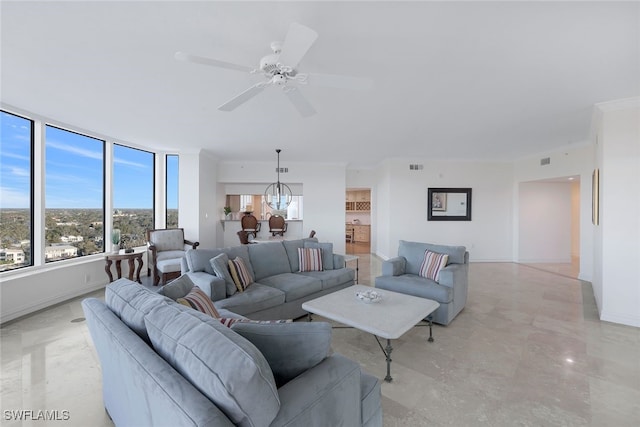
pixel 400 274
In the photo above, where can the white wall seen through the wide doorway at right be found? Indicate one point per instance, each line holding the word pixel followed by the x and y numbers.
pixel 545 222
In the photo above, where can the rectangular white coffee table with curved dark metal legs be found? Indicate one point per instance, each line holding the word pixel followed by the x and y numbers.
pixel 390 318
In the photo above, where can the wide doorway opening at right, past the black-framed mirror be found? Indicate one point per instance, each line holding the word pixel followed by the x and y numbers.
pixel 549 225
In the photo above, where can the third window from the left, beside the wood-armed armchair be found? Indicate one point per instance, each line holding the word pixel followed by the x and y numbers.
pixel 133 190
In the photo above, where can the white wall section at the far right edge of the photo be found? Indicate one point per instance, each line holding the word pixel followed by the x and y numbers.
pixel 617 243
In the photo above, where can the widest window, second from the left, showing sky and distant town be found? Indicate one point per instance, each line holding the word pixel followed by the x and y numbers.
pixel 74 195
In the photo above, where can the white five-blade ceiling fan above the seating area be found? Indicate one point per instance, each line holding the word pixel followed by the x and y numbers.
pixel 280 69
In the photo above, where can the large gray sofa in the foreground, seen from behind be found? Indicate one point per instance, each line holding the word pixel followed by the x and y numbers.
pixel 165 364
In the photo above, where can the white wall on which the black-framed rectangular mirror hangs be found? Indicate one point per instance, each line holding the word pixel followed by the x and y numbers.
pixel 402 200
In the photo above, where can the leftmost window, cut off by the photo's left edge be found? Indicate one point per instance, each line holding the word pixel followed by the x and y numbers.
pixel 16 189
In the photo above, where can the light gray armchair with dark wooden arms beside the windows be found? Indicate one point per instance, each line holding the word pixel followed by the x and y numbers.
pixel 166 249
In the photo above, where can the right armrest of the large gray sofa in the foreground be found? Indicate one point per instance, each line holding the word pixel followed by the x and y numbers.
pixel 327 394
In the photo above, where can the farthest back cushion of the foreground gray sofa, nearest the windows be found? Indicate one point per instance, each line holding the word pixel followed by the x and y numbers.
pixel 131 301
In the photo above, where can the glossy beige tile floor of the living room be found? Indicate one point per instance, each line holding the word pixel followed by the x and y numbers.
pixel 528 350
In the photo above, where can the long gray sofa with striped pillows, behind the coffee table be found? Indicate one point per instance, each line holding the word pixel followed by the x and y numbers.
pixel 279 288
